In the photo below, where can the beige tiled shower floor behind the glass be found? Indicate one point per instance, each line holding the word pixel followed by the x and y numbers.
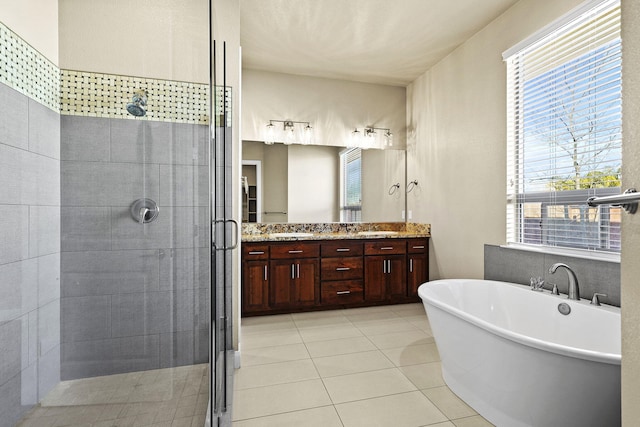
pixel 174 397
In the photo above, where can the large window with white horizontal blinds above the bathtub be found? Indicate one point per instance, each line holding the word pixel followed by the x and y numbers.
pixel 564 118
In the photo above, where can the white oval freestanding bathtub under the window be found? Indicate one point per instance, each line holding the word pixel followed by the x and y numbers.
pixel 510 354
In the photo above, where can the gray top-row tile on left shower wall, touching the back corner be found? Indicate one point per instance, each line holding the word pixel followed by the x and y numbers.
pixel 44 130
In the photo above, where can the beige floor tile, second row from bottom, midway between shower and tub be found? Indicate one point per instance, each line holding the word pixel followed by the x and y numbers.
pixel 365 385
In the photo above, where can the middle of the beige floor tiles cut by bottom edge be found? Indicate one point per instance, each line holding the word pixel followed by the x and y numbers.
pixel 398 410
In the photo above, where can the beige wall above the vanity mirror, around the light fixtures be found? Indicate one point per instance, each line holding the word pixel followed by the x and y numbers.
pixel 334 107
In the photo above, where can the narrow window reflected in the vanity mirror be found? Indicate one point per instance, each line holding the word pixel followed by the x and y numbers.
pixel 351 185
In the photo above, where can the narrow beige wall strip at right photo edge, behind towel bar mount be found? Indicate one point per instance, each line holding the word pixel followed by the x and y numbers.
pixel 631 223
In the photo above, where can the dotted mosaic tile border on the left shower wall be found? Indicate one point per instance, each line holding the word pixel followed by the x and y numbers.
pixel 26 70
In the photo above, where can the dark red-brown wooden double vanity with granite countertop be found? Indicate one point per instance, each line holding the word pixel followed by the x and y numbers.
pixel 331 269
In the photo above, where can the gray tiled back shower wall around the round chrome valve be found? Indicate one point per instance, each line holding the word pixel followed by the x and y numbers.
pixel 134 296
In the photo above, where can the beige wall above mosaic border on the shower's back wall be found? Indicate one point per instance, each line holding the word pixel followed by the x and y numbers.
pixel 163 39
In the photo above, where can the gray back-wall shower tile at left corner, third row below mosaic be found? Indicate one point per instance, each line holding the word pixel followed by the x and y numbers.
pixel 86 229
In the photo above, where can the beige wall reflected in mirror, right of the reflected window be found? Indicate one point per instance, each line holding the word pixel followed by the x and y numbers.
pixel 380 170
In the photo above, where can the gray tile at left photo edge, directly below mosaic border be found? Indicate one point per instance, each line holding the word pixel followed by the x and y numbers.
pixel 14 125
